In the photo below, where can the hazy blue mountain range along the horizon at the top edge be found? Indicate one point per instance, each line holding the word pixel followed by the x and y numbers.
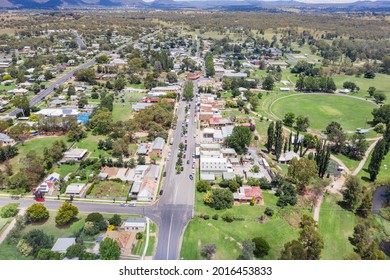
pixel 244 5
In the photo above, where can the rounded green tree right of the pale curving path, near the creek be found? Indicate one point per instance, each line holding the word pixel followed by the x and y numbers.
pixel 353 192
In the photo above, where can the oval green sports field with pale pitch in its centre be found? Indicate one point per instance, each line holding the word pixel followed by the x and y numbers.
pixel 351 113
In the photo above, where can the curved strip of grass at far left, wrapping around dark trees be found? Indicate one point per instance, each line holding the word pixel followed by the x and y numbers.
pixel 36 145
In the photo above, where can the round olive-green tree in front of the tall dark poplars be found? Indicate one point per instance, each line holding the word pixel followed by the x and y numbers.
pixel 302 171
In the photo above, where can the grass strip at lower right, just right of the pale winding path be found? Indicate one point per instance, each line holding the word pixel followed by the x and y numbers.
pixel 335 225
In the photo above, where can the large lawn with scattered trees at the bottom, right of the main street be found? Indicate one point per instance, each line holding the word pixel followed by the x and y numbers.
pixel 228 236
